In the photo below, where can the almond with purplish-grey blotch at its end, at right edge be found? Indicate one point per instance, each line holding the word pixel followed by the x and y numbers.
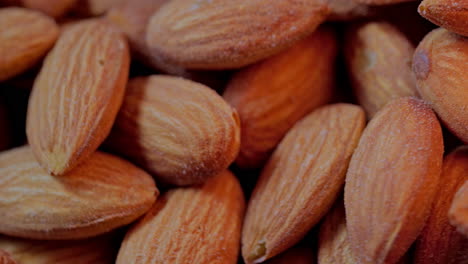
pixel 440 64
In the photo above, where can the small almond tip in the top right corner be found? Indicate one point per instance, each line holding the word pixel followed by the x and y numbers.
pixel 450 14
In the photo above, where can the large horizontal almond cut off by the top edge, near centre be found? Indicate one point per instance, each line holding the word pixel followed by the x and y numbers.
pixel 230 33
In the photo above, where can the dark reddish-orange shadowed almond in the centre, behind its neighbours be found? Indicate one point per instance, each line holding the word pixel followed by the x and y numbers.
pixel 270 98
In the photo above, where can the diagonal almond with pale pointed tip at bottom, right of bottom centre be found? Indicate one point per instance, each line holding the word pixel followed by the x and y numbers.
pixel 301 180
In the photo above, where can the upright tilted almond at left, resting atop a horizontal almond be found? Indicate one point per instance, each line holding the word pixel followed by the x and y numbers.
pixel 77 95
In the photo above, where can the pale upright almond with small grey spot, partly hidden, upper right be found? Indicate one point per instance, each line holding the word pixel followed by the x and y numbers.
pixel 379 63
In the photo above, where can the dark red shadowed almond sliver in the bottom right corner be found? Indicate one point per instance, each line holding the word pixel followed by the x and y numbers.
pixel 439 242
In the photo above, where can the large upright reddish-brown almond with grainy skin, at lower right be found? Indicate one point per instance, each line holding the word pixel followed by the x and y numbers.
pixel 392 181
